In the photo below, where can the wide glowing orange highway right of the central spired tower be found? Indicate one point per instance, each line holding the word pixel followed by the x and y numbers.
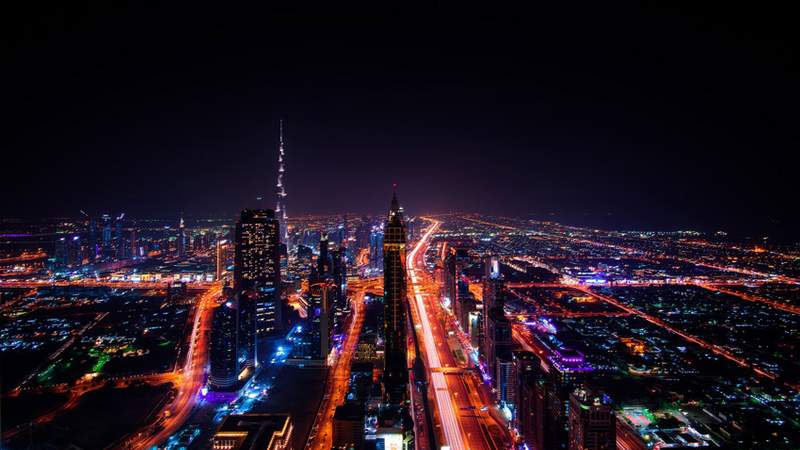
pixel 457 395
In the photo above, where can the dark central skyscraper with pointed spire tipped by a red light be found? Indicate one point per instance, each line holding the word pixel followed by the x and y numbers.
pixel 395 377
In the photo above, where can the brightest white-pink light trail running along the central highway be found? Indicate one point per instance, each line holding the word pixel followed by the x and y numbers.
pixel 447 413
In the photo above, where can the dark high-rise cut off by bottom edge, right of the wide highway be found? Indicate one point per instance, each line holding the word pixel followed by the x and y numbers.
pixel 592 424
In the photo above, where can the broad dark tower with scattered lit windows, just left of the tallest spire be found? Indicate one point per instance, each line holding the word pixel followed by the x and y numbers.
pixel 257 265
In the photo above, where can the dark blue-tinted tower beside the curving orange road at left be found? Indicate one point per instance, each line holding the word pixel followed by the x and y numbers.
pixel 224 344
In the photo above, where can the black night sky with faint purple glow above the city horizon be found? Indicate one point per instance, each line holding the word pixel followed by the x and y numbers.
pixel 620 116
